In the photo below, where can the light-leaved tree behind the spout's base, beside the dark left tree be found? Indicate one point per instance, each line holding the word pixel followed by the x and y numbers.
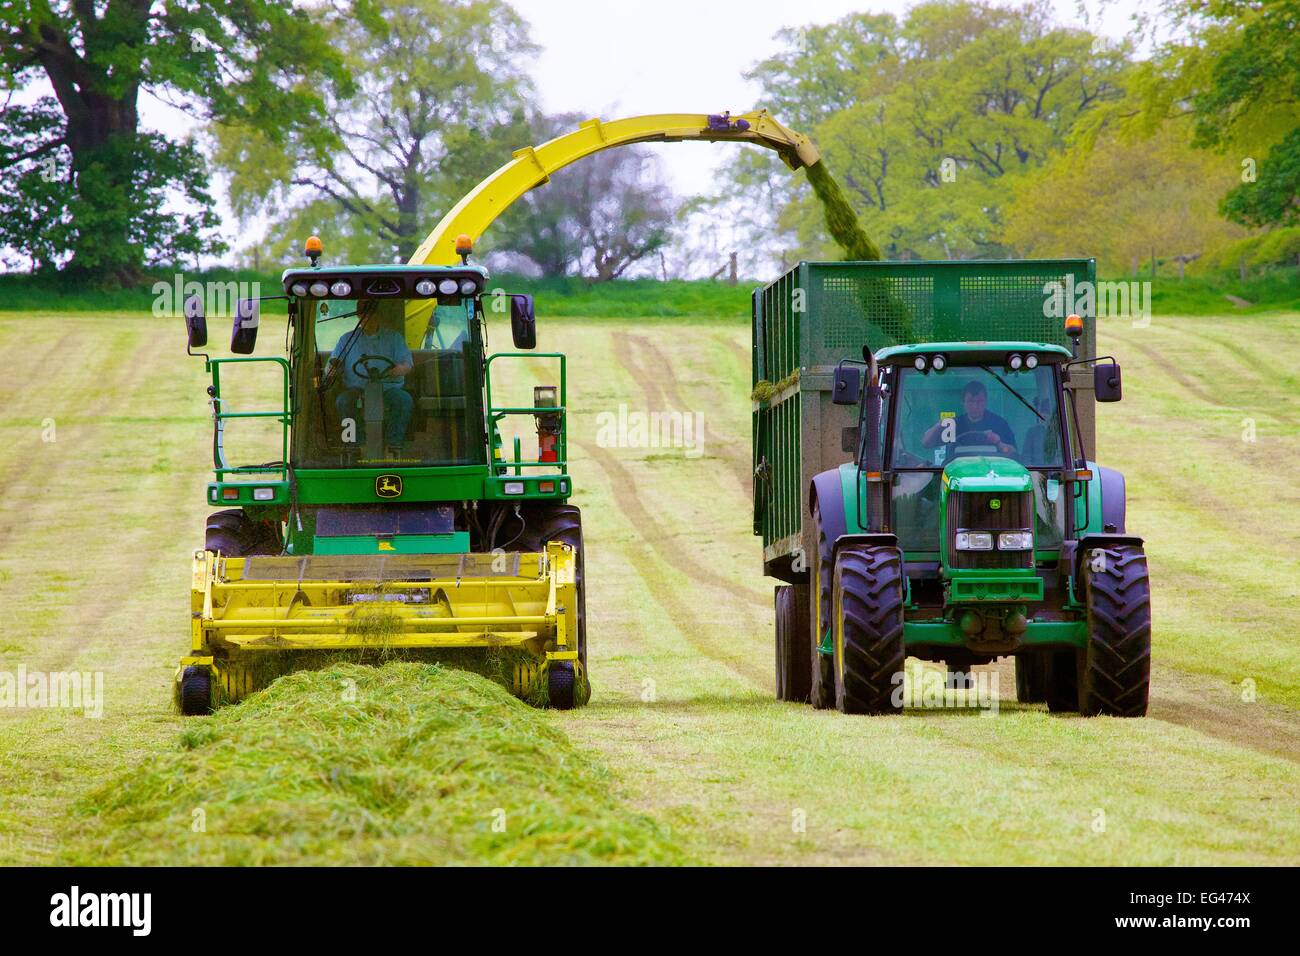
pixel 439 89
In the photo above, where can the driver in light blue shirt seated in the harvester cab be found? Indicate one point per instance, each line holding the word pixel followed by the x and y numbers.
pixel 372 339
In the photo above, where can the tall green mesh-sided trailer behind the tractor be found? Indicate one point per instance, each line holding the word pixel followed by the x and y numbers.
pixel 818 314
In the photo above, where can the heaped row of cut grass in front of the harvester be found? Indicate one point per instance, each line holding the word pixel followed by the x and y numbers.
pixel 354 765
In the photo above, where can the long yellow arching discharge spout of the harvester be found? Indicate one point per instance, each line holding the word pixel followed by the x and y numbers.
pixel 534 166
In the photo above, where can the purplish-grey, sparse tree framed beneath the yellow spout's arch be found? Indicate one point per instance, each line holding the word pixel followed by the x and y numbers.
pixel 599 218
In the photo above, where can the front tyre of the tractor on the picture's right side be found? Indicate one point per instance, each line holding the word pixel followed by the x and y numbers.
pixel 1116 674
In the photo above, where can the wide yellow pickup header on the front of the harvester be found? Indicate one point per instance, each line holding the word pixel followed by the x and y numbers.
pixel 522 603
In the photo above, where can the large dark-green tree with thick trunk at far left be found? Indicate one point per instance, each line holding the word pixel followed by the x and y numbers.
pixel 85 171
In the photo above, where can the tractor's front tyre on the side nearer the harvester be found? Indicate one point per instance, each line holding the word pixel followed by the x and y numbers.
pixel 868 613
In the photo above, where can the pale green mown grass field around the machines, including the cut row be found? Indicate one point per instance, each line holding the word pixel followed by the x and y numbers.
pixel 683 754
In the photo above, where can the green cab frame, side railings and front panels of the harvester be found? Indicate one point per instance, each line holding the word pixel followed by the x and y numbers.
pixel 283 492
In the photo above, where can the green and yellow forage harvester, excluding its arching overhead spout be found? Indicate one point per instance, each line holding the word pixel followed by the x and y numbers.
pixel 404 514
